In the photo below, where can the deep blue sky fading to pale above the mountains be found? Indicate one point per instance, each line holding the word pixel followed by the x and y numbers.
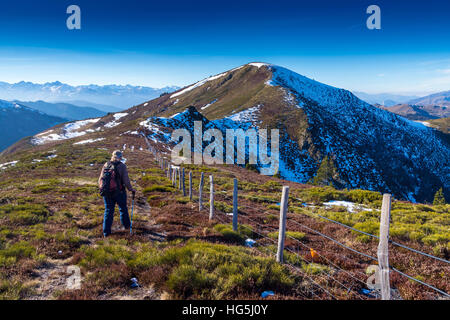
pixel 179 42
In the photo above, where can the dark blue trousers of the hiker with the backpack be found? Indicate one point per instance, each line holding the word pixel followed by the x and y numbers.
pixel 110 204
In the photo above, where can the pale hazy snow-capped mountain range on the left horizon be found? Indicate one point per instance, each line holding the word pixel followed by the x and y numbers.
pixel 118 96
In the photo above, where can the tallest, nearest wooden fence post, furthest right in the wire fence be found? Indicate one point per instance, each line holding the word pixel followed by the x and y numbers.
pixel 383 248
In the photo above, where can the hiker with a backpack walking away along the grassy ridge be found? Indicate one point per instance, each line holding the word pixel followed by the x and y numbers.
pixel 112 182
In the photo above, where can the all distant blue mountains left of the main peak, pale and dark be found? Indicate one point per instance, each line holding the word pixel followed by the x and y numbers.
pixel 56 102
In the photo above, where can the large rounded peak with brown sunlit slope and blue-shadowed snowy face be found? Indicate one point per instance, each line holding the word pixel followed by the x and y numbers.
pixel 315 120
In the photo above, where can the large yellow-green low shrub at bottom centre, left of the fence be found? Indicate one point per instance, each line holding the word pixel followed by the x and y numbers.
pixel 210 271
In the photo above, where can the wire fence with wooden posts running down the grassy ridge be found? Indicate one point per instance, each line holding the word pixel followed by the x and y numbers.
pixel 358 278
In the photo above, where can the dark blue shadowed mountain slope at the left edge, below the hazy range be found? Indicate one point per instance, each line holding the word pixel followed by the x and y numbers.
pixel 18 121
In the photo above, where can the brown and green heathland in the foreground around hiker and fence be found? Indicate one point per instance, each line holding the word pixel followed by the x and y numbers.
pixel 51 216
